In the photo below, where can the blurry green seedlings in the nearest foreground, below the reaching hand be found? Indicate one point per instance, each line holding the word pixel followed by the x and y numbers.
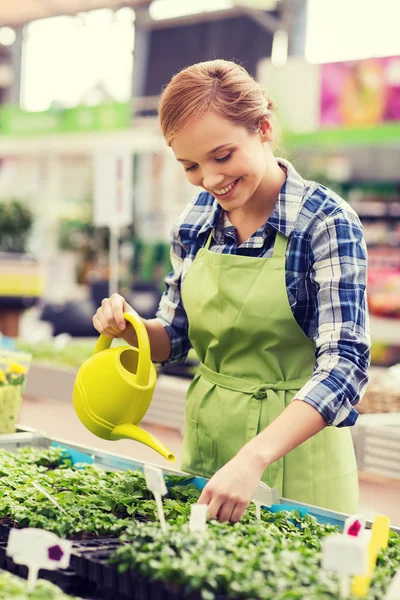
pixel 271 560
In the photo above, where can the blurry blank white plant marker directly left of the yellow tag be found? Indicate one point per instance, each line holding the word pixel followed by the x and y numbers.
pixel 346 555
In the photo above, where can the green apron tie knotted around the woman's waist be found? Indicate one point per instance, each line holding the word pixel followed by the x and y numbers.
pixel 249 387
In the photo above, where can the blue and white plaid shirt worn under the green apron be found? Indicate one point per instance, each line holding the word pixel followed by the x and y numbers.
pixel 326 273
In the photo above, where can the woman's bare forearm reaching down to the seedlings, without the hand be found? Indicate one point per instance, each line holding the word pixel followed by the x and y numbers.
pixel 296 424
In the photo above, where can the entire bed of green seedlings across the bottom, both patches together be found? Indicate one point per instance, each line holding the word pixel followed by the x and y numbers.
pixel 278 558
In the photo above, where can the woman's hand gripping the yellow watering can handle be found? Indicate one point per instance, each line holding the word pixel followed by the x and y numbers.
pixel 109 320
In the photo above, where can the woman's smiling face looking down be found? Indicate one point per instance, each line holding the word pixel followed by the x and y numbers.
pixel 225 159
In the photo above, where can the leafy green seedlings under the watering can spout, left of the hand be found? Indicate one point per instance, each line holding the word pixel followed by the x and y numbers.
pixel 96 502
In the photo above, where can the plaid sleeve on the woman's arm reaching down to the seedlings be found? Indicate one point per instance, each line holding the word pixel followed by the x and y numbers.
pixel 339 272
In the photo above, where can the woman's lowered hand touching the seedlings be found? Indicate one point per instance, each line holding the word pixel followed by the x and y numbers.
pixel 230 490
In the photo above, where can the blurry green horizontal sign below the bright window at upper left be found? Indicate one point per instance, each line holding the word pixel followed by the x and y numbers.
pixel 16 122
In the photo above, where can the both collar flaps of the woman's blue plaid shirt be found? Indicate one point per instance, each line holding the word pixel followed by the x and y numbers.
pixel 284 214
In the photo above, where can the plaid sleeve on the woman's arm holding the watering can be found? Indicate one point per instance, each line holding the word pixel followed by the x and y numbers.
pixel 171 313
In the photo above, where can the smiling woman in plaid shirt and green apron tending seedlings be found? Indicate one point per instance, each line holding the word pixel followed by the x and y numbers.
pixel 268 286
